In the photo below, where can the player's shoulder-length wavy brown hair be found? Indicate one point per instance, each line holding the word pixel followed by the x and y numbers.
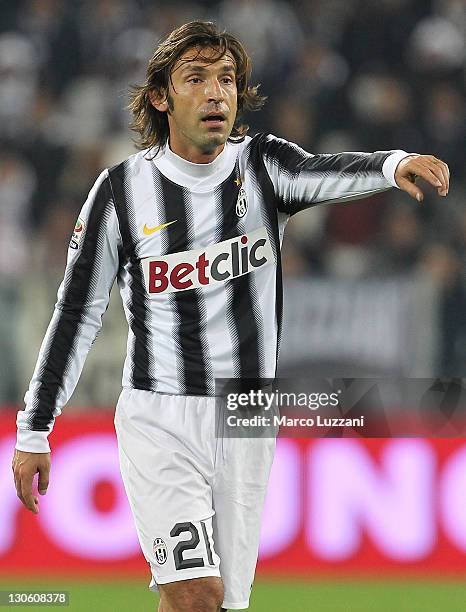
pixel 151 124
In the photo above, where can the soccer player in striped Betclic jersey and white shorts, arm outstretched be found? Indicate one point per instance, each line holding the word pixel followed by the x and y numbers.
pixel 191 227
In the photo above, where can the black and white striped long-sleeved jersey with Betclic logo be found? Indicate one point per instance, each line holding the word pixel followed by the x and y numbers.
pixel 195 249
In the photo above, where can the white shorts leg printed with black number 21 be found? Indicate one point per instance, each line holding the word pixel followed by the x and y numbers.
pixel 168 484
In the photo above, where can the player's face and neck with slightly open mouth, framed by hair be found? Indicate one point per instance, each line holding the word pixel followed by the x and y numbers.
pixel 201 103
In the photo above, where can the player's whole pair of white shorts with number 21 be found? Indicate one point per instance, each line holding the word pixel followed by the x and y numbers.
pixel 196 496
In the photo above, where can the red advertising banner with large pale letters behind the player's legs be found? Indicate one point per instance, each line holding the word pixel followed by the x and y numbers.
pixel 347 507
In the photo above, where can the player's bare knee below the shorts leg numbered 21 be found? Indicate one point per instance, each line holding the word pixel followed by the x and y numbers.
pixel 196 595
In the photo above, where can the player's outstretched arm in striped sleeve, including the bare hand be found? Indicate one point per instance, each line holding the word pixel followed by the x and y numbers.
pixel 302 180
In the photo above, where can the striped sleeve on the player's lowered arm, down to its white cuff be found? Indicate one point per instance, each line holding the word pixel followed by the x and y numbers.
pixel 92 265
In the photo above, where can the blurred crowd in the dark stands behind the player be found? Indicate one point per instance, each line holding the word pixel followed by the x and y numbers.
pixel 340 75
